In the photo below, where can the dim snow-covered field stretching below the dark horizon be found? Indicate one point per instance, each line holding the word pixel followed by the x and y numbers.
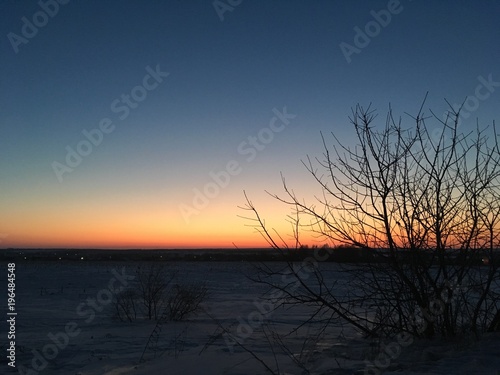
pixel 65 325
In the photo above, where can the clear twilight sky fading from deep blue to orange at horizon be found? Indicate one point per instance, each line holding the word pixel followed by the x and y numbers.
pixel 139 124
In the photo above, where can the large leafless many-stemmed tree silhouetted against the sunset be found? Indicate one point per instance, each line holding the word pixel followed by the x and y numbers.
pixel 425 204
